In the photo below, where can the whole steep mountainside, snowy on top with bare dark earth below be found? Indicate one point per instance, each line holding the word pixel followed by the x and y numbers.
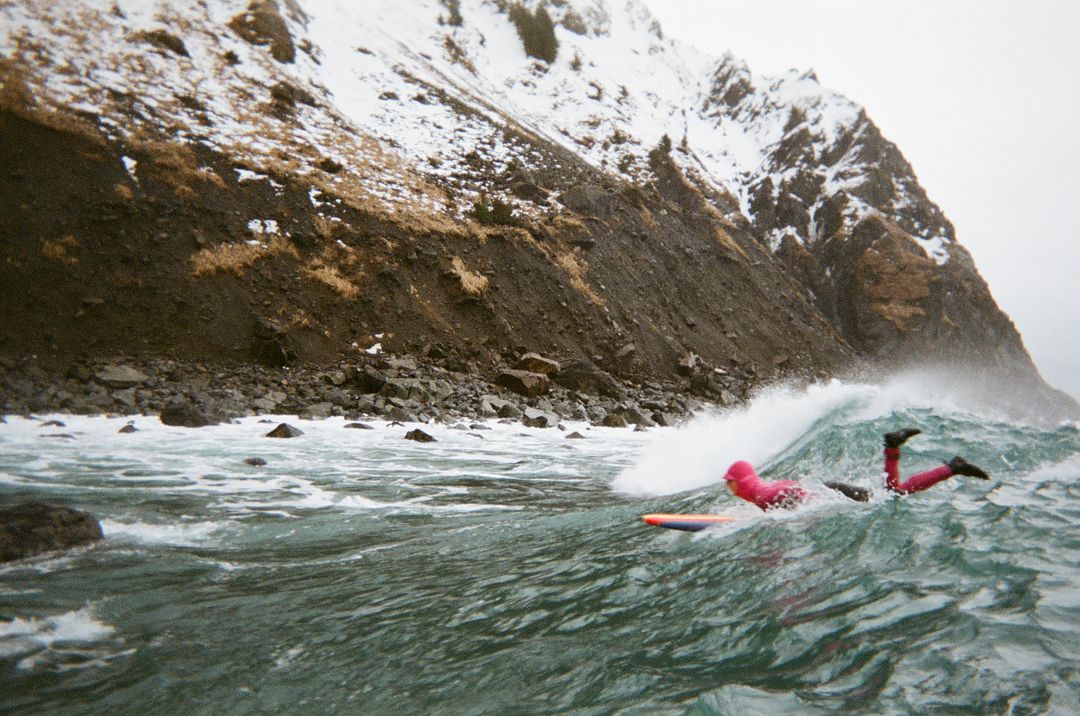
pixel 295 181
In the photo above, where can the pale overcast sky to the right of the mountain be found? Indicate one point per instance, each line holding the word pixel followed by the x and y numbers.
pixel 982 97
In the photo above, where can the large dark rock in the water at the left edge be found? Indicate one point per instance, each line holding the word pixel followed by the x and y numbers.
pixel 35 529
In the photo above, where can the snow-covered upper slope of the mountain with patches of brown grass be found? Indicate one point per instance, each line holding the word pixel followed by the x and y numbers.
pixel 406 101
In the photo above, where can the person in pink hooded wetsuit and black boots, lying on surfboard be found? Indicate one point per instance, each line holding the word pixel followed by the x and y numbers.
pixel 767 494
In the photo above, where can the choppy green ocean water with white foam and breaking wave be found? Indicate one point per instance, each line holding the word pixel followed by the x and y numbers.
pixel 507 571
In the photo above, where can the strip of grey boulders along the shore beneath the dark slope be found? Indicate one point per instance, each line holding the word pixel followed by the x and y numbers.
pixel 534 390
